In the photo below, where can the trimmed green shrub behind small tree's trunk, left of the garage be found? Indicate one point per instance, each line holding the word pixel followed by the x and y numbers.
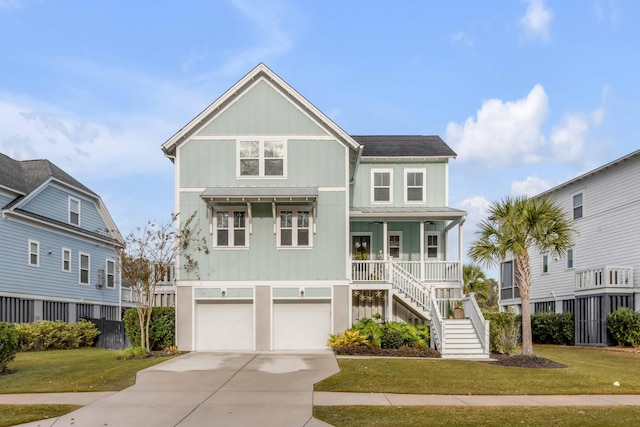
pixel 161 330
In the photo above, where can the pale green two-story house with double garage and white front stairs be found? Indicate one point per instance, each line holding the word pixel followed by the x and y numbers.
pixel 311 228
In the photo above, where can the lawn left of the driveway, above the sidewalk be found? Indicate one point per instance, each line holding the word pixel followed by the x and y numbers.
pixel 58 371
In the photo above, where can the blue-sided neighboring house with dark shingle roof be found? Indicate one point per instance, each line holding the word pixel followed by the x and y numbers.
pixel 57 246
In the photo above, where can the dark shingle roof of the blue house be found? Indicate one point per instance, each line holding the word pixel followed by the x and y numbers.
pixel 26 175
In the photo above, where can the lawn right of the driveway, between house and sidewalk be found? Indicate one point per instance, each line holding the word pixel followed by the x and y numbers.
pixel 590 371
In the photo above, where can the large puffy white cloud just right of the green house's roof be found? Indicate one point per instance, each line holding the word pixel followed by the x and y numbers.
pixel 503 133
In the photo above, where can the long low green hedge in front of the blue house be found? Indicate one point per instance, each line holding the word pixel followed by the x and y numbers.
pixel 46 334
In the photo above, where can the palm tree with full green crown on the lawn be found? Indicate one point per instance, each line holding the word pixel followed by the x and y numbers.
pixel 513 228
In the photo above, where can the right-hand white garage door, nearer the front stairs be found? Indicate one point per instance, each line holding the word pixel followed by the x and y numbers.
pixel 301 325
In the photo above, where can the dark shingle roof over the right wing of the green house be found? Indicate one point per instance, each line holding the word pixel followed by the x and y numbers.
pixel 404 146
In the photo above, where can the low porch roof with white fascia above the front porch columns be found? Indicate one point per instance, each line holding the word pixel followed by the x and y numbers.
pixel 390 213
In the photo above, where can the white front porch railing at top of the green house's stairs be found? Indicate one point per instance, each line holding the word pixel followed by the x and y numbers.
pixel 427 271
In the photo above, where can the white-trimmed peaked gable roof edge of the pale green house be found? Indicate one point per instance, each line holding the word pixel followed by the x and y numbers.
pixel 261 71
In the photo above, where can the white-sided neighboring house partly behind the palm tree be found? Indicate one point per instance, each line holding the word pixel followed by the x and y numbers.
pixel 601 272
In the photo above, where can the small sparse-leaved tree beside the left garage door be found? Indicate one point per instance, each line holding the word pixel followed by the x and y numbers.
pixel 149 254
